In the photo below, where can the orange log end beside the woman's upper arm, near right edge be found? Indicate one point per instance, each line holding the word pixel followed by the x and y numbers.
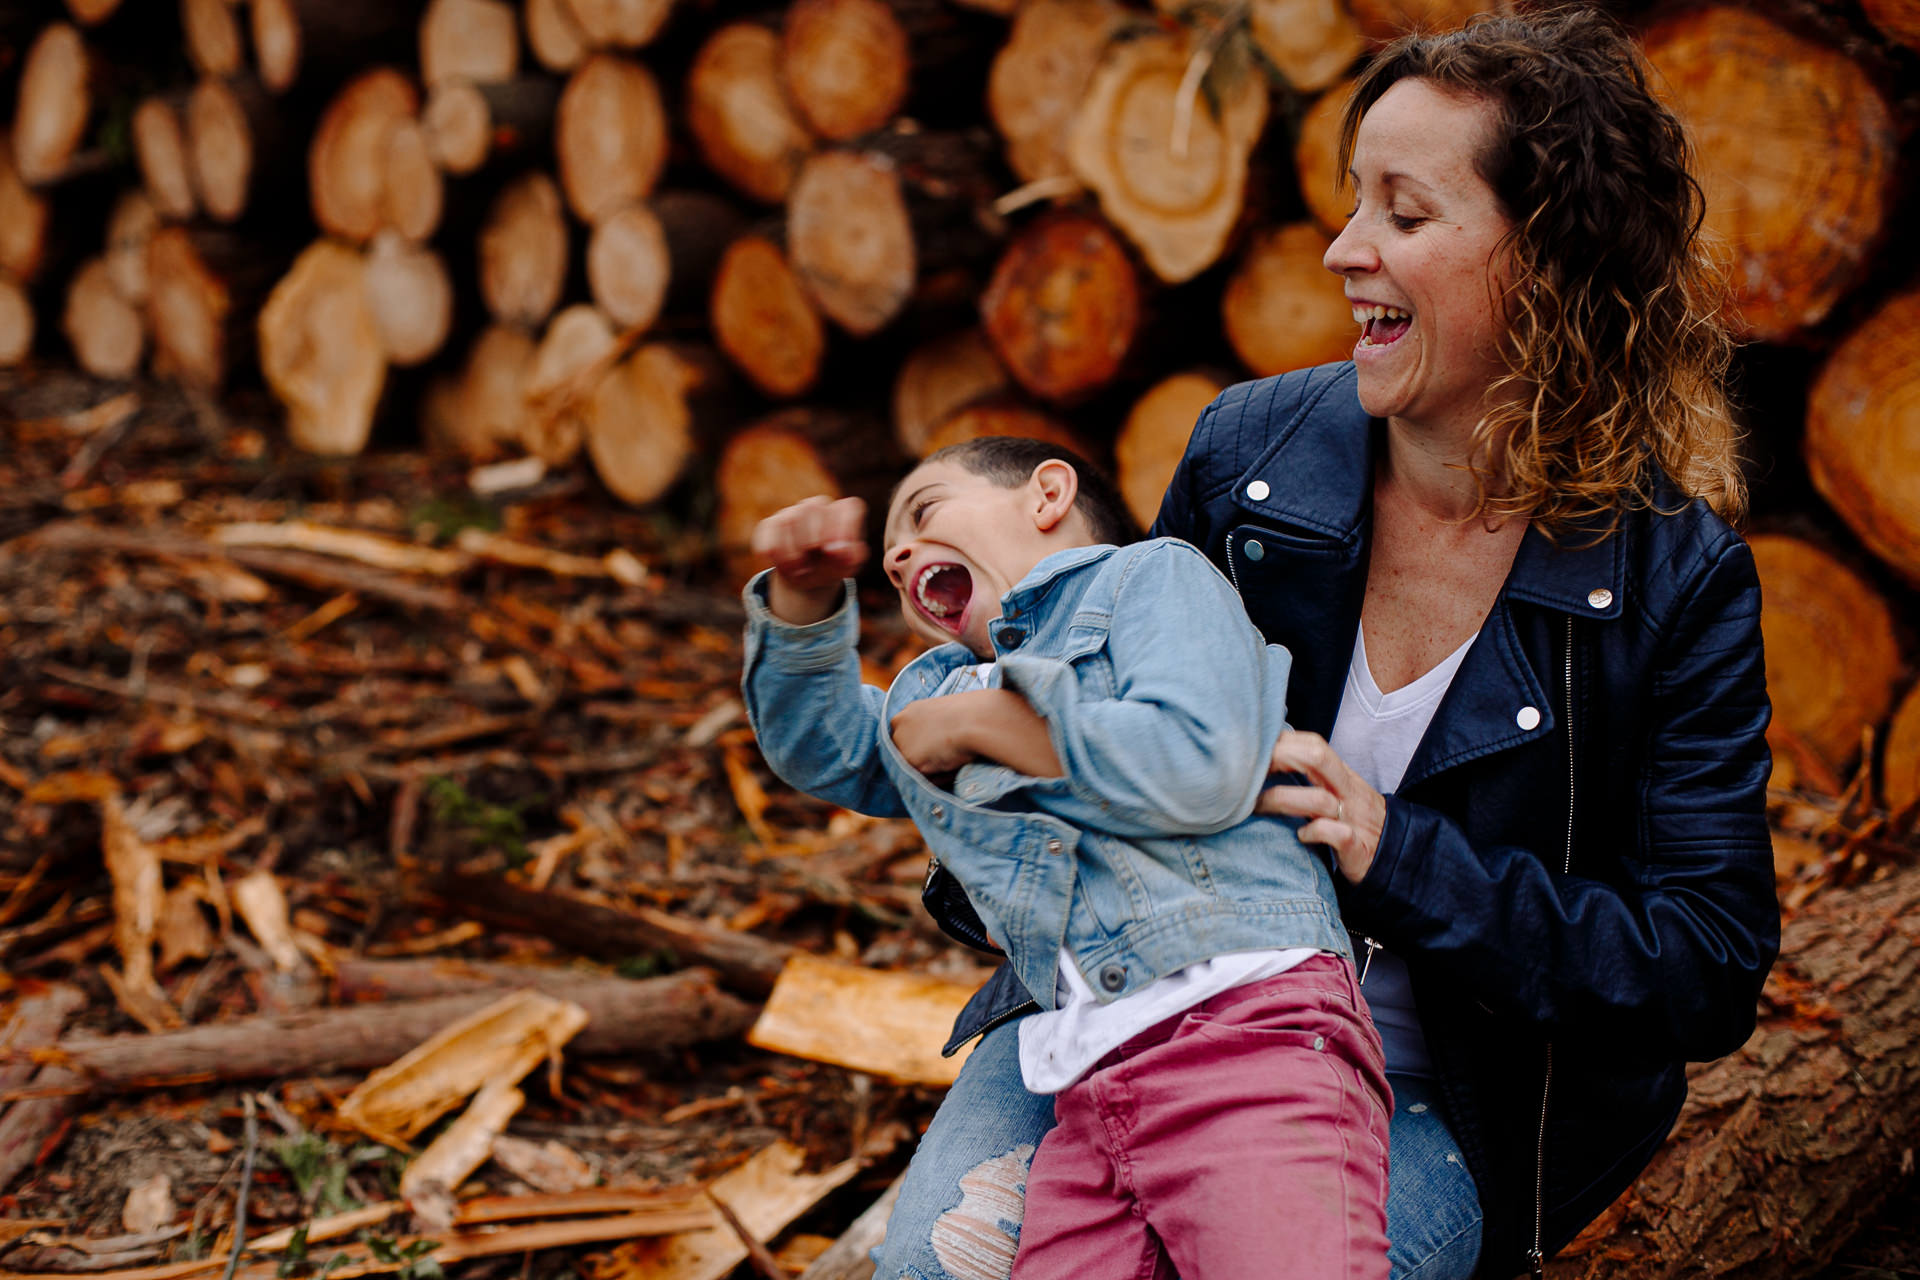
pixel 1821 692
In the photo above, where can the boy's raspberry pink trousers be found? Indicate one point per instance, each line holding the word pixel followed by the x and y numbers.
pixel 1241 1141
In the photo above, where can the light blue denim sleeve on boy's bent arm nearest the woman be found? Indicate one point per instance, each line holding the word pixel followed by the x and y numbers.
pixel 1184 744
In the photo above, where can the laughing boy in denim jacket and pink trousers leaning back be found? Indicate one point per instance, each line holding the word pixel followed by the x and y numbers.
pixel 1084 751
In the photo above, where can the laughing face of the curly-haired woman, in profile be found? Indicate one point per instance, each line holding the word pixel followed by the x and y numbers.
pixel 1422 258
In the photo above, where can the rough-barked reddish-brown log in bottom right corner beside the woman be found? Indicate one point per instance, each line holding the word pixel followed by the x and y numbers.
pixel 1788 1145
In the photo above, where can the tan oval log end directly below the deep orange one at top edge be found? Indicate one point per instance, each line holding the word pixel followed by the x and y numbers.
pixel 852 239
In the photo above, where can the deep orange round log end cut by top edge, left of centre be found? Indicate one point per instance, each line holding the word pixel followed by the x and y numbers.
pixel 846 64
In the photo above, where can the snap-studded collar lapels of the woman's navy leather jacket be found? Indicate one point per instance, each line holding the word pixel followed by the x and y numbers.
pixel 1318 471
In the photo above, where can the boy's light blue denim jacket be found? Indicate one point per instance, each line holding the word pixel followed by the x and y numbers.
pixel 1145 857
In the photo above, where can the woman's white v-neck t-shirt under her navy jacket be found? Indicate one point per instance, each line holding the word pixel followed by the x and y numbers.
pixel 1378 734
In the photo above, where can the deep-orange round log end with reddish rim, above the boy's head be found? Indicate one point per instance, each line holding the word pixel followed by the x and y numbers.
pixel 1063 308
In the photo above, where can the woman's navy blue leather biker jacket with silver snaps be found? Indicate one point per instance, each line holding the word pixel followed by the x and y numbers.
pixel 1577 865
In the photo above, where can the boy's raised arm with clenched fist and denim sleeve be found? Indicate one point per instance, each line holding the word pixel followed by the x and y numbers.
pixel 817 723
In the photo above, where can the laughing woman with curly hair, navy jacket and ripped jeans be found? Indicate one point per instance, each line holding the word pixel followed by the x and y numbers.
pixel 1527 686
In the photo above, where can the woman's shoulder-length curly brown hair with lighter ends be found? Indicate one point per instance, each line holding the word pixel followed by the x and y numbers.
pixel 1616 341
